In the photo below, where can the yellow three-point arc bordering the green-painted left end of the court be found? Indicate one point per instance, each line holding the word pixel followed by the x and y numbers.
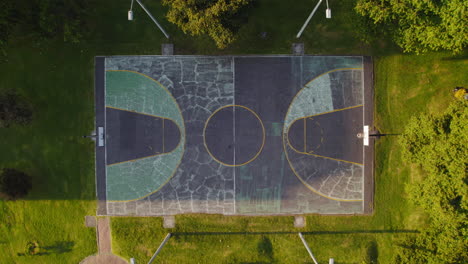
pixel 182 137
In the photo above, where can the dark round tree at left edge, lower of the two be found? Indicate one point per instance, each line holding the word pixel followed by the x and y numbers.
pixel 14 184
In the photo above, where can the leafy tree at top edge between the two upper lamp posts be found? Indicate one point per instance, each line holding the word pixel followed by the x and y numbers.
pixel 213 17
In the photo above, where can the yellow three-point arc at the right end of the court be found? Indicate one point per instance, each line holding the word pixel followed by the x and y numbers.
pixel 286 142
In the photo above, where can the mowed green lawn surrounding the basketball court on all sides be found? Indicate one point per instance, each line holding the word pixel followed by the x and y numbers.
pixel 57 79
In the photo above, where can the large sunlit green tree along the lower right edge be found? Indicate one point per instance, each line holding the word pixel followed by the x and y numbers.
pixel 439 145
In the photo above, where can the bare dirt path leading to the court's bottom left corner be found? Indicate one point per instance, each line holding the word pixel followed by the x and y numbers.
pixel 104 240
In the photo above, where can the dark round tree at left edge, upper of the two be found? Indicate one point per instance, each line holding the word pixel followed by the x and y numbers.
pixel 14 110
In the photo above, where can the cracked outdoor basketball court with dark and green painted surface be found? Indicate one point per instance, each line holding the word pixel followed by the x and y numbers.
pixel 233 135
